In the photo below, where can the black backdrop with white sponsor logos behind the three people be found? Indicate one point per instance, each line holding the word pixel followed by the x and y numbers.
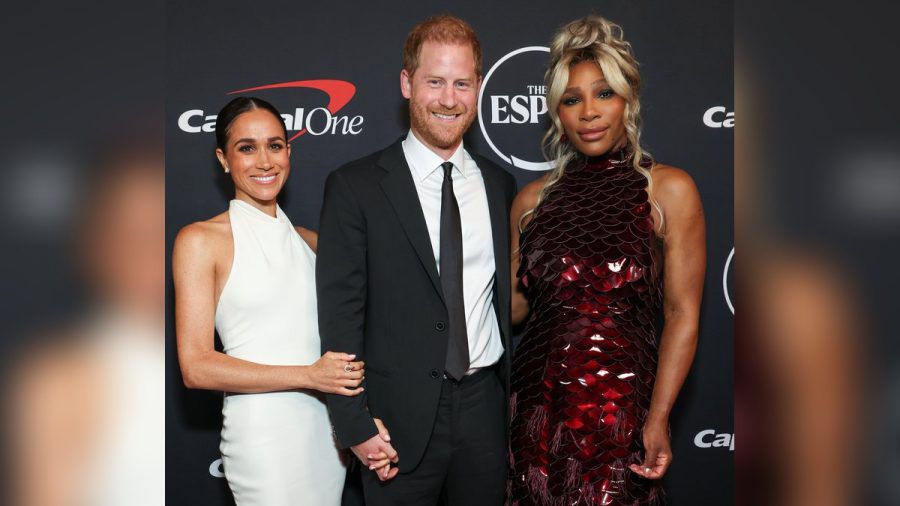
pixel 322 54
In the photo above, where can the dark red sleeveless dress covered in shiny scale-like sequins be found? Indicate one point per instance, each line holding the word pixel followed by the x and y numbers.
pixel 583 373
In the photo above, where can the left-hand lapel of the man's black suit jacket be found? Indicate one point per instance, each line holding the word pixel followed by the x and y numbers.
pixel 400 190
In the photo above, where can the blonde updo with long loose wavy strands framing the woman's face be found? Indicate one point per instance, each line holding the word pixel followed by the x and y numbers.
pixel 599 40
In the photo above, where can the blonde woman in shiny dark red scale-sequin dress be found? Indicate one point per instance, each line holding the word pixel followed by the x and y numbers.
pixel 594 379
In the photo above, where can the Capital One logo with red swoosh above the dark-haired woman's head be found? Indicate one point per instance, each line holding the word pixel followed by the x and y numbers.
pixel 315 121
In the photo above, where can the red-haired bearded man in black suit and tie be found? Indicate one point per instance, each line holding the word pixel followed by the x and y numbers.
pixel 413 277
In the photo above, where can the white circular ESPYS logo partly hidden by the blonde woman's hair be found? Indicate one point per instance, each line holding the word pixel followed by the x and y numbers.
pixel 512 110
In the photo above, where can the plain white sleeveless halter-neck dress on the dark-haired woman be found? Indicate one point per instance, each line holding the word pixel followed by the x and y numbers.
pixel 277 448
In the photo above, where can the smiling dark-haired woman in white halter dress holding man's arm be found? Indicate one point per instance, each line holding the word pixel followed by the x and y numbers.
pixel 250 274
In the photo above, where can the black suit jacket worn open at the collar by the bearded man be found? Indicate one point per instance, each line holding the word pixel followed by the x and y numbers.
pixel 380 296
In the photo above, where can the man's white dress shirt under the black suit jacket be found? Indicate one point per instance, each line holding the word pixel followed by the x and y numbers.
pixel 485 344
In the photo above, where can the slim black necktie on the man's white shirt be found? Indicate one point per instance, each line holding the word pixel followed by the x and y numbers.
pixel 451 278
